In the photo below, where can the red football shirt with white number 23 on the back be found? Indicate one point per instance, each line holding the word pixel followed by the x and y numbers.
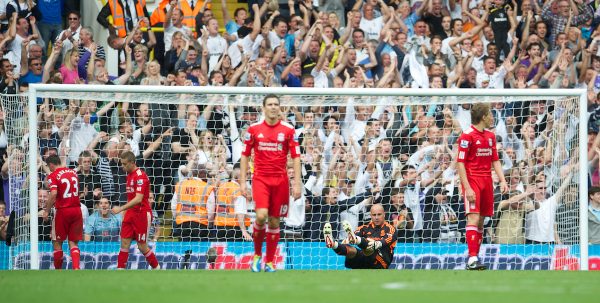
pixel 65 182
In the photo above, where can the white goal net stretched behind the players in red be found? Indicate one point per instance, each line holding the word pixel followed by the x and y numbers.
pixel 396 147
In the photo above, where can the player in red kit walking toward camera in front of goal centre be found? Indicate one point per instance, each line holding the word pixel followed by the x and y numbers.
pixel 271 141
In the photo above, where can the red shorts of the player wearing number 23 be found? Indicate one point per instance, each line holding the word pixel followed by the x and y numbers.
pixel 68 223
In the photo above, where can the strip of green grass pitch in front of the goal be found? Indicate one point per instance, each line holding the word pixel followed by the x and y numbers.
pixel 299 286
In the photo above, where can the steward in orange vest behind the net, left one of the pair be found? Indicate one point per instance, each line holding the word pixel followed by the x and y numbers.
pixel 193 207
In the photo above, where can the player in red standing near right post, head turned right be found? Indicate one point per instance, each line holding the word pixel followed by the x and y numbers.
pixel 476 155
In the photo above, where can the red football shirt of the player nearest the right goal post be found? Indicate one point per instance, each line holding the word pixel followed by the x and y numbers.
pixel 477 150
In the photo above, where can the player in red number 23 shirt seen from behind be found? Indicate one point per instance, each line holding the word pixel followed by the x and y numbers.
pixel 68 221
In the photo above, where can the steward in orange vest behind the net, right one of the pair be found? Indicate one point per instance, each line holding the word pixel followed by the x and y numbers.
pixel 231 221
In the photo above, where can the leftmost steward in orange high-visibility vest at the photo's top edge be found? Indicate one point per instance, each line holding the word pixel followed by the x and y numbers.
pixel 123 20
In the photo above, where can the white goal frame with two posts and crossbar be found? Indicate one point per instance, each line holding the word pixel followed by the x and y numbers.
pixel 197 95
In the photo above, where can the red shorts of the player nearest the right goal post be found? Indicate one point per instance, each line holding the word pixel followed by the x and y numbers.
pixel 484 196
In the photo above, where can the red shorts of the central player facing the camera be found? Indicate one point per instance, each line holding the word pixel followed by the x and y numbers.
pixel 272 193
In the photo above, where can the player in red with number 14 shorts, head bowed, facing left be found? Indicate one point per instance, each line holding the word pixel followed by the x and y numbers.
pixel 138 215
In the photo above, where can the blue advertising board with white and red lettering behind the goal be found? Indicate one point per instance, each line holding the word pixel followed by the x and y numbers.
pixel 314 256
